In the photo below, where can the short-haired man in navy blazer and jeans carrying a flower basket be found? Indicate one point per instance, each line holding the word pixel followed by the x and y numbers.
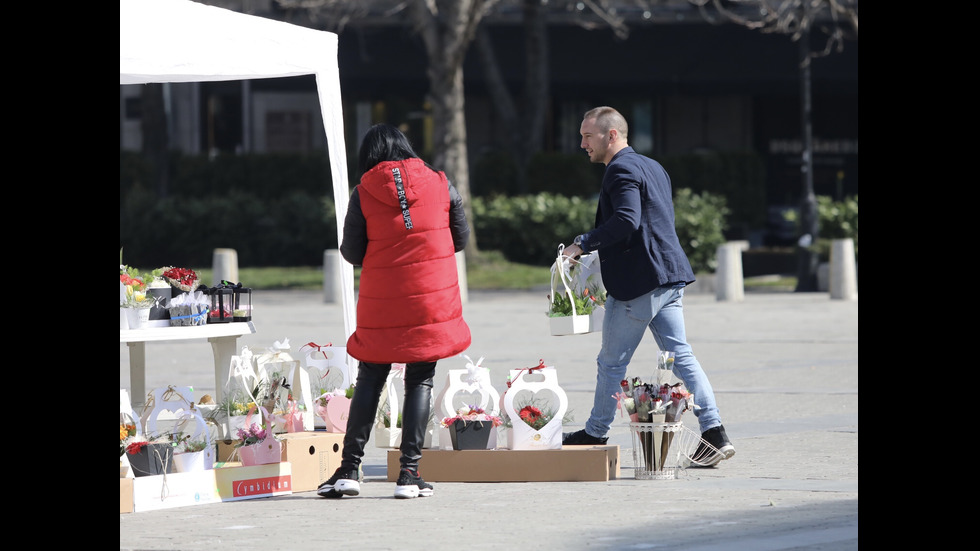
pixel 644 270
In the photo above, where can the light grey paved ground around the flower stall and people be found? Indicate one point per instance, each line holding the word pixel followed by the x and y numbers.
pixel 784 368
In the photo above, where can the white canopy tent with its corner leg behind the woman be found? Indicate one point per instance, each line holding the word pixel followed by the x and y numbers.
pixel 184 41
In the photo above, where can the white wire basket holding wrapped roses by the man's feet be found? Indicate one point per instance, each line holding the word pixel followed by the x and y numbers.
pixel 660 450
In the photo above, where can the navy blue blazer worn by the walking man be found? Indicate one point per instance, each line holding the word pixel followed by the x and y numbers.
pixel 634 229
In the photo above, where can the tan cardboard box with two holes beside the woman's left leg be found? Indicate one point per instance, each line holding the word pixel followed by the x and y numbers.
pixel 314 456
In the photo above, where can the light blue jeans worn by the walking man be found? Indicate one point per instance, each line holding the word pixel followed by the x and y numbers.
pixel 622 329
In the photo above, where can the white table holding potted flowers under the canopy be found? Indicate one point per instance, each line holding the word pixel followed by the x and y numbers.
pixel 222 336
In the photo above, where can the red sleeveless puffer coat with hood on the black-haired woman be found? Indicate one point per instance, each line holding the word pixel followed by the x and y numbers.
pixel 408 307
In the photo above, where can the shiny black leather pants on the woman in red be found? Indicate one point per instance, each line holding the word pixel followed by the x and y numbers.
pixel 364 406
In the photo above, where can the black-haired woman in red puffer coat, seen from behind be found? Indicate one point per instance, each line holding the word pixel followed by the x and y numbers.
pixel 404 224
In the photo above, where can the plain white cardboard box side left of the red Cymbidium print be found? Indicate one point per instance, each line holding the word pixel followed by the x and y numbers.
pixel 164 491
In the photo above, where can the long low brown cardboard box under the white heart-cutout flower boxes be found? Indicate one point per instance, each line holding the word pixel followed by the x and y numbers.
pixel 569 464
